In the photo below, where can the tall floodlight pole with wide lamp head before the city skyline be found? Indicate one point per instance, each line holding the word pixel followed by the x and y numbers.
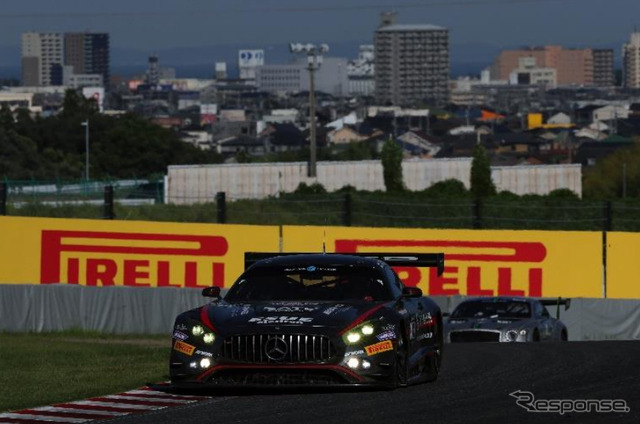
pixel 314 61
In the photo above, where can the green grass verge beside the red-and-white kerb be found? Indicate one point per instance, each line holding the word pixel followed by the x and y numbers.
pixel 41 369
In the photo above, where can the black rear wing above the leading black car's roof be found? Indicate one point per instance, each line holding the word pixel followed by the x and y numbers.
pixel 426 260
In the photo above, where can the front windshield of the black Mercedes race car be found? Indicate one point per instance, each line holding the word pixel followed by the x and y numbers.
pixel 309 284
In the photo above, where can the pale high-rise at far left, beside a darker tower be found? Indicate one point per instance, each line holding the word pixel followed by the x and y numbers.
pixel 42 58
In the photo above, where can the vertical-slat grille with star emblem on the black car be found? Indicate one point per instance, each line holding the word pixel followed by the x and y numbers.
pixel 278 348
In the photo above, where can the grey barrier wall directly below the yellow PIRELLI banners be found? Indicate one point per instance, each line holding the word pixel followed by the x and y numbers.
pixel 135 310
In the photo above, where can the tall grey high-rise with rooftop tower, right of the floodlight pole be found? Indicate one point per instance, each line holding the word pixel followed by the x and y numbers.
pixel 411 63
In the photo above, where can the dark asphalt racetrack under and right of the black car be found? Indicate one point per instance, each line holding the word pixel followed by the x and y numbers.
pixel 474 386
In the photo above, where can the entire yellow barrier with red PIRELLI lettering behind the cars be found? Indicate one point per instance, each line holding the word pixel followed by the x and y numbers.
pixel 153 254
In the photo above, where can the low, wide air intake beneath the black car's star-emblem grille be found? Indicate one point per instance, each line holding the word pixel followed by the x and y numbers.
pixel 277 377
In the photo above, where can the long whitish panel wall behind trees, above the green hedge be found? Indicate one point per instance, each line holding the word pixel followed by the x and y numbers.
pixel 199 183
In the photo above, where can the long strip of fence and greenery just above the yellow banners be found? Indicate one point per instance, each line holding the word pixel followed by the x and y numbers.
pixel 143 200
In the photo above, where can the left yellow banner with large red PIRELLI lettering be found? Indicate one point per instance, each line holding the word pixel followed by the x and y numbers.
pixel 128 253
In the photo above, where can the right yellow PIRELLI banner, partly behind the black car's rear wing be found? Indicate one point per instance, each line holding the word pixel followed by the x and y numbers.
pixel 477 262
